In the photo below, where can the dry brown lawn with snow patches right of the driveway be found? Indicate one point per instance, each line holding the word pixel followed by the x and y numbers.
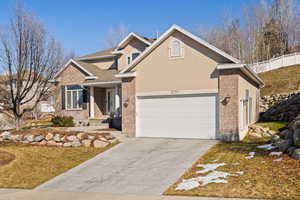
pixel 263 177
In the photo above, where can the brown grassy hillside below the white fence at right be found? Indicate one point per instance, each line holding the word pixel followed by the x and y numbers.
pixel 283 80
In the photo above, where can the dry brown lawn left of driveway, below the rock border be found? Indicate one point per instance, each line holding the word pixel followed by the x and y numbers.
pixel 34 165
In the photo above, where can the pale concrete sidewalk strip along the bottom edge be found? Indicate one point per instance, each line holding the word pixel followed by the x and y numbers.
pixel 54 195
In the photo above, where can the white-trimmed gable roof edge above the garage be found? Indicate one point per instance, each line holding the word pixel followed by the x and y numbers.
pixel 183 31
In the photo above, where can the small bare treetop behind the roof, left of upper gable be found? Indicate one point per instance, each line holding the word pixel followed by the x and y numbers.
pixel 115 35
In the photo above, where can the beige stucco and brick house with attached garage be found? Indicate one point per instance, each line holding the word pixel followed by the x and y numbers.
pixel 177 86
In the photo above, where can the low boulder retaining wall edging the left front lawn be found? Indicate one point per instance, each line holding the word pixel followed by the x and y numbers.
pixel 80 139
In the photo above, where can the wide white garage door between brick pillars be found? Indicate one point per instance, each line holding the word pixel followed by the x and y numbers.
pixel 178 116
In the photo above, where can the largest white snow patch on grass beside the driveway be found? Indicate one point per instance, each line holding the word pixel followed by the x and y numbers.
pixel 213 176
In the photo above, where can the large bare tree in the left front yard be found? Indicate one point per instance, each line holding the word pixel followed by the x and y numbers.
pixel 29 59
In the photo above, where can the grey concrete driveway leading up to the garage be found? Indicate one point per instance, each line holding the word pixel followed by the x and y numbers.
pixel 137 166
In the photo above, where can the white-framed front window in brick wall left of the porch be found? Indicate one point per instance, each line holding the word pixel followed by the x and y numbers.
pixel 74 96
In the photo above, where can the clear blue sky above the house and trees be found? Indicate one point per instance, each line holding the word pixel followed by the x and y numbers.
pixel 83 24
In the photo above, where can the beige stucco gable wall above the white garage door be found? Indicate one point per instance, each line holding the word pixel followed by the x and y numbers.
pixel 196 70
